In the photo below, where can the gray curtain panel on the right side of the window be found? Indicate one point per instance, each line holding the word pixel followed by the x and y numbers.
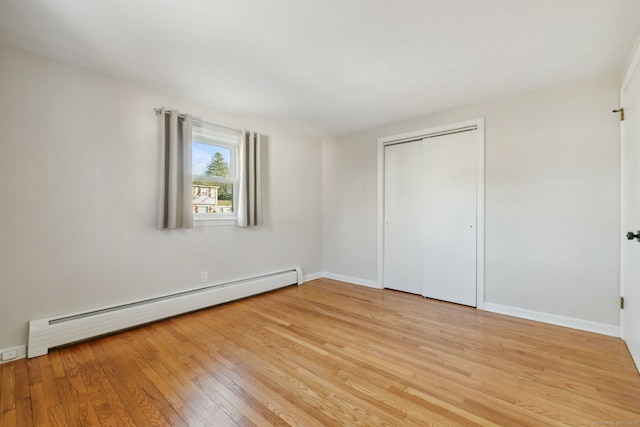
pixel 250 185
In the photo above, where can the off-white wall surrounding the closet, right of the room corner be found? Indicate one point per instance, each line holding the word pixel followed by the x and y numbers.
pixel 552 199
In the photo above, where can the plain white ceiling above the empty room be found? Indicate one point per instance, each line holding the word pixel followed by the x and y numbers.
pixel 328 67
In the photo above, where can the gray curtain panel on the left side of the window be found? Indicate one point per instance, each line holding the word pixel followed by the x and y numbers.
pixel 174 137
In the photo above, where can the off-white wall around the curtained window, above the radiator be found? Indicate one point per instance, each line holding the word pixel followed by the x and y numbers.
pixel 78 171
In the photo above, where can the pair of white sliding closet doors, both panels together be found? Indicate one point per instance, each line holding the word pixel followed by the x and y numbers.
pixel 430 217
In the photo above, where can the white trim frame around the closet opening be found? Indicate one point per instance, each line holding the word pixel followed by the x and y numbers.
pixel 480 227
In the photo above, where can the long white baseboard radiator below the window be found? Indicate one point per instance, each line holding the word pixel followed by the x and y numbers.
pixel 60 330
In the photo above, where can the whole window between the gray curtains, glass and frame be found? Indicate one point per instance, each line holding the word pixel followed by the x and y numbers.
pixel 215 172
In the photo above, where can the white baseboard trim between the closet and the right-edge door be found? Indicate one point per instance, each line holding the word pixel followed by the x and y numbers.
pixel 554 319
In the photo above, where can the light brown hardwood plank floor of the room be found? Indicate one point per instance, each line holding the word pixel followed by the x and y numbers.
pixel 329 353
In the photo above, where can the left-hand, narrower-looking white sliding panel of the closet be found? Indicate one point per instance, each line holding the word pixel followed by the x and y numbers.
pixel 402 217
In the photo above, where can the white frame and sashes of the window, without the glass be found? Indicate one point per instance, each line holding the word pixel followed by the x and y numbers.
pixel 218 136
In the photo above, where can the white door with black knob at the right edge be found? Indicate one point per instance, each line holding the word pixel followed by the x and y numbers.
pixel 630 198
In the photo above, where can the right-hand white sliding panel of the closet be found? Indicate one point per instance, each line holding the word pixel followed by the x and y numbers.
pixel 449 218
